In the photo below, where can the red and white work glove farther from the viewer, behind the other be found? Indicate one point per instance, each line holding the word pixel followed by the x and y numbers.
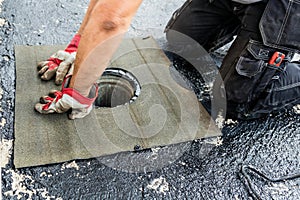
pixel 59 64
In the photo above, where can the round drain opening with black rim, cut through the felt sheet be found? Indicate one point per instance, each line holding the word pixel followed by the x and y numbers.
pixel 117 87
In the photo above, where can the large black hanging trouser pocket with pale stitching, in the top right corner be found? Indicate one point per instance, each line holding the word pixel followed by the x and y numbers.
pixel 280 24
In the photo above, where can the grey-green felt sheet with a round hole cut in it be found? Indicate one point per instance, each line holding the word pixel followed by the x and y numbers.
pixel 48 139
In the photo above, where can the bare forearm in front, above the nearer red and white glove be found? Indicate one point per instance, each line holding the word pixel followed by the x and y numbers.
pixel 103 32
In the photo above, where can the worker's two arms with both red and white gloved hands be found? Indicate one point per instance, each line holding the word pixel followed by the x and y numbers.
pixel 100 34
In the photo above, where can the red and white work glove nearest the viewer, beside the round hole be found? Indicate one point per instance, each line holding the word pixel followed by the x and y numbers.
pixel 66 99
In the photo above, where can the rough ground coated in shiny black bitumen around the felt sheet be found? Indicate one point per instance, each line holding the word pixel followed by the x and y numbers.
pixel 258 159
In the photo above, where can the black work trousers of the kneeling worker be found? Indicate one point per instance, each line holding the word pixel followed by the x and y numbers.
pixel 252 87
